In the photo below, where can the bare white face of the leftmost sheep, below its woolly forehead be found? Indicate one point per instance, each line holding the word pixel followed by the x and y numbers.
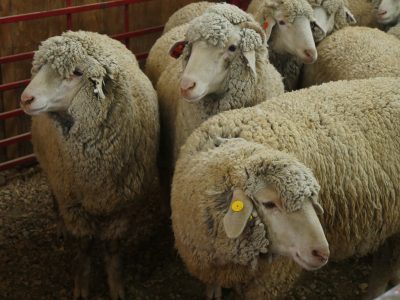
pixel 49 92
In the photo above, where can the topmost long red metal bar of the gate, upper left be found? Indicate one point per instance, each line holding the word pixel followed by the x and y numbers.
pixel 66 10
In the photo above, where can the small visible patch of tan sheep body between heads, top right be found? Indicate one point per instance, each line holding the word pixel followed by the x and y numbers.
pixel 363 11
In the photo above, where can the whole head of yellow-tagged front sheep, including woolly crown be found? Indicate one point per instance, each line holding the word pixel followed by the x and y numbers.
pixel 283 194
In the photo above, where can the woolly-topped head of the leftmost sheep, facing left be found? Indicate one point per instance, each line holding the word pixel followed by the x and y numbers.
pixel 62 66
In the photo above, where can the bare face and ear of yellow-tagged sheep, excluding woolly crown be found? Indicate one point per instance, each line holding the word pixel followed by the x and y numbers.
pixel 297 234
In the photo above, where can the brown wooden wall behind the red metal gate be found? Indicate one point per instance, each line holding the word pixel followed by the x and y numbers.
pixel 26 36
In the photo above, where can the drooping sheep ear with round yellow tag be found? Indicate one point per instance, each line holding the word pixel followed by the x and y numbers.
pixel 236 218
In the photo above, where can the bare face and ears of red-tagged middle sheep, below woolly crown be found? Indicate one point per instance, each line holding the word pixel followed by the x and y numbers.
pixel 208 65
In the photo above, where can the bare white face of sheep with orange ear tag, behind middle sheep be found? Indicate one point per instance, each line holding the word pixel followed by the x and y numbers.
pixel 295 37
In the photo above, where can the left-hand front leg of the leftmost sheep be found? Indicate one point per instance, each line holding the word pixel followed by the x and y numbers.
pixel 81 287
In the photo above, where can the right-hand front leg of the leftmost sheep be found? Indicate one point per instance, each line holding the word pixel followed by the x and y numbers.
pixel 113 268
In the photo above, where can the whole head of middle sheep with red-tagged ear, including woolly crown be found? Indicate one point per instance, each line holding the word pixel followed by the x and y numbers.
pixel 224 36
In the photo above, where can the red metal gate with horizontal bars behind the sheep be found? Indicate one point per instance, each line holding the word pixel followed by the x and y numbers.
pixel 67 11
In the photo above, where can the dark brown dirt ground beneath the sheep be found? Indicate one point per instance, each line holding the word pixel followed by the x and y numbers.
pixel 33 266
